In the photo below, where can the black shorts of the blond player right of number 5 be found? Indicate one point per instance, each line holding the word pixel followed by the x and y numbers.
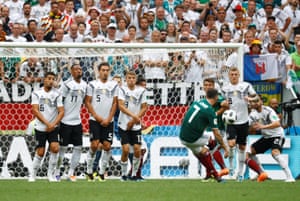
pixel 130 137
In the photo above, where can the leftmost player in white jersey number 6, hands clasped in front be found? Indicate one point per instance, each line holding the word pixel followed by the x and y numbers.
pixel 48 109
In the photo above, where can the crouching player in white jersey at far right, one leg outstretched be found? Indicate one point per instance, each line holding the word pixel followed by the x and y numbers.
pixel 265 119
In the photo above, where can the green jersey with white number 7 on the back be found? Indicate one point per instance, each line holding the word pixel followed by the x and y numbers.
pixel 199 116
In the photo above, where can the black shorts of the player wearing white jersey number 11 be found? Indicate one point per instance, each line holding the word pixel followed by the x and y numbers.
pixel 69 134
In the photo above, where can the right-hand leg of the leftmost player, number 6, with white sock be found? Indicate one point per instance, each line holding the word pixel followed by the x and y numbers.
pixel 54 149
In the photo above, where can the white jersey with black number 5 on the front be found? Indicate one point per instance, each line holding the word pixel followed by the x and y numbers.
pixel 102 96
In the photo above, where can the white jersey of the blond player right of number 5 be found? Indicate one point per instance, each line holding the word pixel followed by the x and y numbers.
pixel 133 101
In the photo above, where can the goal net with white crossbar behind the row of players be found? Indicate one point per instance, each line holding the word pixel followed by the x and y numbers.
pixel 174 74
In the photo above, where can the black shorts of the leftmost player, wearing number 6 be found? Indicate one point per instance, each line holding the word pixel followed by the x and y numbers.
pixel 42 137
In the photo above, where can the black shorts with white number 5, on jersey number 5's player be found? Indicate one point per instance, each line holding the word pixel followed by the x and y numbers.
pixel 98 132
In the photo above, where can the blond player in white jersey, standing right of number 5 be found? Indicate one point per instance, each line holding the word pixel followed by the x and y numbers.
pixel 132 104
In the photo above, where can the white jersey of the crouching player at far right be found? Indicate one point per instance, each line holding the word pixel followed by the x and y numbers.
pixel 266 116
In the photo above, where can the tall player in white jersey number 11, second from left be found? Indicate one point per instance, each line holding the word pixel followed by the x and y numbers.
pixel 73 92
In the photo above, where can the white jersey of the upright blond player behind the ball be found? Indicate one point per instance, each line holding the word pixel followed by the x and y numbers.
pixel 236 94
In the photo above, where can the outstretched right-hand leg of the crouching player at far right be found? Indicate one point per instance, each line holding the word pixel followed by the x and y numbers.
pixel 276 154
